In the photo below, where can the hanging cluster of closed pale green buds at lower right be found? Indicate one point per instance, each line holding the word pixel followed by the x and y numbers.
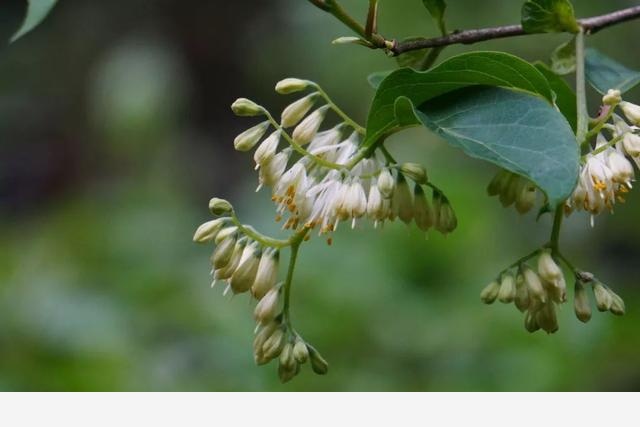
pixel 539 293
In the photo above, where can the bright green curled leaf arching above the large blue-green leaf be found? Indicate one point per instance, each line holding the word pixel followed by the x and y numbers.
pixel 469 69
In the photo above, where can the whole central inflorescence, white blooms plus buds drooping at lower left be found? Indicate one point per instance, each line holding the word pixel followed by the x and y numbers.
pixel 318 178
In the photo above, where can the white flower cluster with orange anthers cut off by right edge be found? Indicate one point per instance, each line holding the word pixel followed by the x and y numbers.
pixel 607 172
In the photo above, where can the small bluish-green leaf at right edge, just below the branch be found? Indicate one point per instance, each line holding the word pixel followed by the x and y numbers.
pixel 603 73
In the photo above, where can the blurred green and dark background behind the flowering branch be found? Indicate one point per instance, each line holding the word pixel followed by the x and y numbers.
pixel 115 131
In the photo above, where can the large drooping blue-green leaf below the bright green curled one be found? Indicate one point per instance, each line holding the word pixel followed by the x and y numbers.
pixel 513 130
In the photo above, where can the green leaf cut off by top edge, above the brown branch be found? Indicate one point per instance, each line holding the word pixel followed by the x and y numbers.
pixel 549 16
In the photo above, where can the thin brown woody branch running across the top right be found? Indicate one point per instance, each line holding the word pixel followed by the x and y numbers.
pixel 590 26
